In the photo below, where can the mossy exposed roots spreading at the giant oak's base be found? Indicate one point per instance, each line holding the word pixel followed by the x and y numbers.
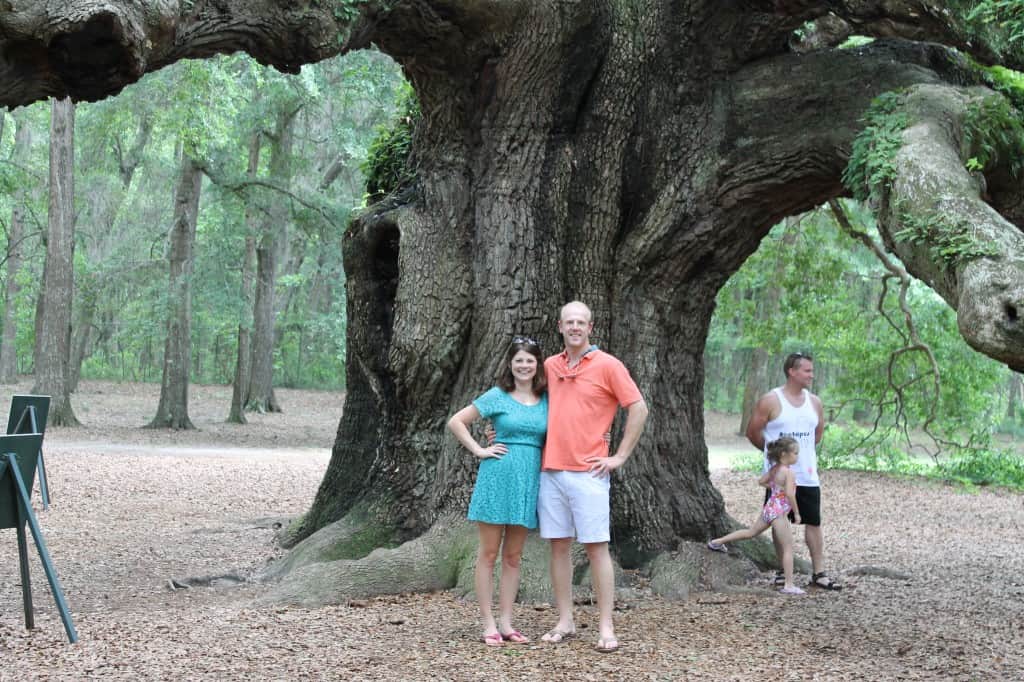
pixel 445 559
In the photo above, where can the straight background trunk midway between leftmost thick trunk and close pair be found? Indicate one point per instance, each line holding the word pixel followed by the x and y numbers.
pixel 174 409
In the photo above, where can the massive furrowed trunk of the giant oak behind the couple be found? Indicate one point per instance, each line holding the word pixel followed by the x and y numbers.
pixel 632 160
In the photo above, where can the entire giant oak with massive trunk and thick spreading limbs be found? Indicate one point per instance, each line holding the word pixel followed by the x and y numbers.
pixel 630 155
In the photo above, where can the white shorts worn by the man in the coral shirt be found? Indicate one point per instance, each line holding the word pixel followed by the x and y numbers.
pixel 575 504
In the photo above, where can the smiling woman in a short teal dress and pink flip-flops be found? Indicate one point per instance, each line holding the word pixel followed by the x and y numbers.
pixel 504 502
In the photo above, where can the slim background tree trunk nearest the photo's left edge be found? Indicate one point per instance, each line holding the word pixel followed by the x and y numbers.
pixel 9 343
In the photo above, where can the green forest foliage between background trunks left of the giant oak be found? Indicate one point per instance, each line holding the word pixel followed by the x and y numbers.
pixel 211 110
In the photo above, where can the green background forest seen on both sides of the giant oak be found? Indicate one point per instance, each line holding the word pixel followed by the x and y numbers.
pixel 281 163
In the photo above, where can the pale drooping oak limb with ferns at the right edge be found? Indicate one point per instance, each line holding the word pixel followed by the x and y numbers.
pixel 933 217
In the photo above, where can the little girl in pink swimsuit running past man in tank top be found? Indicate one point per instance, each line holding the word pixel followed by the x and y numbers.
pixel 783 500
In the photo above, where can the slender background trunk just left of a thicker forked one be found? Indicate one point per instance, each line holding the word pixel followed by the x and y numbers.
pixel 244 359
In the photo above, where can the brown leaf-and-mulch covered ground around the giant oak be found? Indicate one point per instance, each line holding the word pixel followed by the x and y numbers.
pixel 136 510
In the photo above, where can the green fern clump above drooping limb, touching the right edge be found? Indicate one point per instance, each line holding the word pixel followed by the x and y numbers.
pixel 994 132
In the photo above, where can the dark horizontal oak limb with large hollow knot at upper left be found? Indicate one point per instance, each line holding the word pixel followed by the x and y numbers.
pixel 89 51
